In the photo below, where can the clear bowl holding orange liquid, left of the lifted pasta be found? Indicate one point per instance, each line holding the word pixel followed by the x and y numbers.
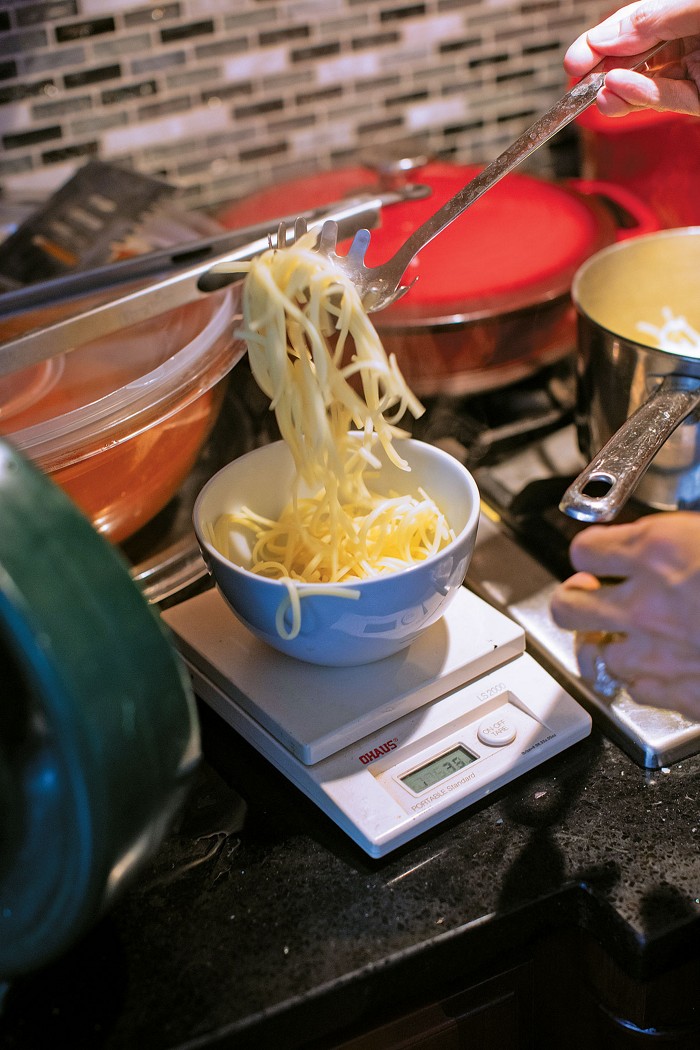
pixel 123 424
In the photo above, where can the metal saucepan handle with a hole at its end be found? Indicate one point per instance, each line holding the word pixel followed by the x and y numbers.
pixel 624 460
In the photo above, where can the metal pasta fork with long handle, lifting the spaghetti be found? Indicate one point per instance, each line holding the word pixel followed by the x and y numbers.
pixel 380 286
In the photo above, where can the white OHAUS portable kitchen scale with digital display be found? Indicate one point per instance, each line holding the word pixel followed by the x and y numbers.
pixel 388 750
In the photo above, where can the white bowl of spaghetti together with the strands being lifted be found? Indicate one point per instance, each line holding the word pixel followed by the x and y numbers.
pixel 342 543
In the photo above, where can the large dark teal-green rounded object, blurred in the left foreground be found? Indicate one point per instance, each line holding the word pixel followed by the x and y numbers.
pixel 99 732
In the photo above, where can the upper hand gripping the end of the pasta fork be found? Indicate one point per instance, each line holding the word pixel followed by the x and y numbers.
pixel 632 31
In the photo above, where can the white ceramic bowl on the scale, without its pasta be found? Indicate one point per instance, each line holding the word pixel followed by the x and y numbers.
pixel 393 610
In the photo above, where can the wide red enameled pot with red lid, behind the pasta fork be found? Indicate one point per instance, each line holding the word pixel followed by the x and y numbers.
pixel 493 301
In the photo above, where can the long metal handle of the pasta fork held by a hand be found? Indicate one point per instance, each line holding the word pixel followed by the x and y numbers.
pixel 574 103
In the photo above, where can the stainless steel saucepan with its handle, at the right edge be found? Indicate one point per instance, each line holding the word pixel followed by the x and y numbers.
pixel 639 400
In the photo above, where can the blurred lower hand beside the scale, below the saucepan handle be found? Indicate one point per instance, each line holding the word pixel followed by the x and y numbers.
pixel 653 613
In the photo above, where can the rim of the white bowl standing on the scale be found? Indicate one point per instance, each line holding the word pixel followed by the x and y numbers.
pixel 317 589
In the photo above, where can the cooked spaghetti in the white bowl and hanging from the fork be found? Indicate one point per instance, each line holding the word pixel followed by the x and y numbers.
pixel 336 394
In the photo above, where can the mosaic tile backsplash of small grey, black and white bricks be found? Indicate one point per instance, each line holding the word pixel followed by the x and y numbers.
pixel 223 97
